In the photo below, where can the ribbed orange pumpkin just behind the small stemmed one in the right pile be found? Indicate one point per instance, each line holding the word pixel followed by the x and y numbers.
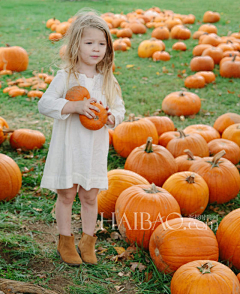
pixel 193 142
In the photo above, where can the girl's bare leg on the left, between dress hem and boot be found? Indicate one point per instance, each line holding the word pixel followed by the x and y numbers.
pixel 64 209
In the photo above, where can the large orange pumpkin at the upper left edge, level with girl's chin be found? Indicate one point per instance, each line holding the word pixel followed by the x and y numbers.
pixel 14 58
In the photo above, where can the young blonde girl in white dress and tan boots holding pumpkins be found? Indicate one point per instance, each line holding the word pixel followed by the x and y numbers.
pixel 77 157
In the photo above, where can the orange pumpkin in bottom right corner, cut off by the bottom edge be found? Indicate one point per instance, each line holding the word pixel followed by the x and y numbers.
pixel 189 280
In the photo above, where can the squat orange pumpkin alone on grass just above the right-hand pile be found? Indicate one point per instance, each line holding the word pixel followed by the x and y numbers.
pixel 181 103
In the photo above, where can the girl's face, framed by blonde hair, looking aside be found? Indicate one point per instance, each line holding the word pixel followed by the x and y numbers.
pixel 93 46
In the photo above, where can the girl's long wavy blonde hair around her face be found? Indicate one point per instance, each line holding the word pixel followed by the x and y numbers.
pixel 85 19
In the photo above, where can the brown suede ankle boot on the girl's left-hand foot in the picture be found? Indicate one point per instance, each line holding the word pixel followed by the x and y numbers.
pixel 67 250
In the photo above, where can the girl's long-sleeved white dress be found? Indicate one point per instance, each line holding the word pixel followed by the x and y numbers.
pixel 76 155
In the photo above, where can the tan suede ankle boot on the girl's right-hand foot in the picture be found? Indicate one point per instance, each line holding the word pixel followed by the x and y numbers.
pixel 86 248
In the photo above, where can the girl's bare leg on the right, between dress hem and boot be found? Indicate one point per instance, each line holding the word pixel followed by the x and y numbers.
pixel 89 209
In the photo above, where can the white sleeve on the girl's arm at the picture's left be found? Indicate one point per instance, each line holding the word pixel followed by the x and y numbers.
pixel 52 101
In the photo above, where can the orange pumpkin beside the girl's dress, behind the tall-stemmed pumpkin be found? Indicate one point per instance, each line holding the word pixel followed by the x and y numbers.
pixel 129 135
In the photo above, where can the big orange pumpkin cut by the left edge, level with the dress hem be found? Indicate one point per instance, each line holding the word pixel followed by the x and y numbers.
pixel 10 178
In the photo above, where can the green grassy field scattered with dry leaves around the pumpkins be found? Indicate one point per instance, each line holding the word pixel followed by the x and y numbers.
pixel 28 234
